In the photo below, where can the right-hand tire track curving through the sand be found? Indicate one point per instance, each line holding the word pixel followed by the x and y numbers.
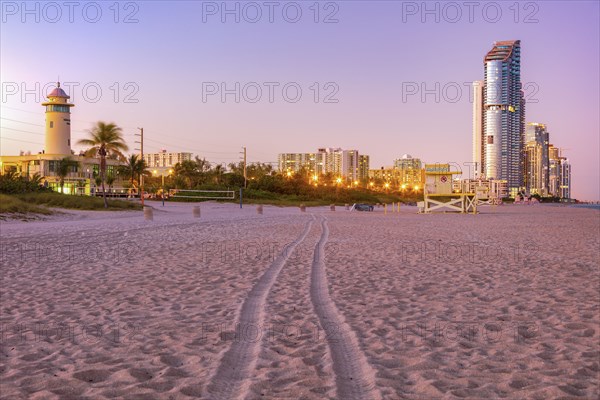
pixel 355 378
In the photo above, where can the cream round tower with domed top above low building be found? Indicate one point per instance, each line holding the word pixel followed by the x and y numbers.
pixel 58 122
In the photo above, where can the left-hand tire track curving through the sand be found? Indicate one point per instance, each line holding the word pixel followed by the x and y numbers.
pixel 231 378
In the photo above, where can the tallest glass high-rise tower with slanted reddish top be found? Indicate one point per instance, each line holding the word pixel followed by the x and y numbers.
pixel 504 115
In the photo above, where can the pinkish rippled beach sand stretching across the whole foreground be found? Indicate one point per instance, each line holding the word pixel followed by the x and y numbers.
pixel 292 305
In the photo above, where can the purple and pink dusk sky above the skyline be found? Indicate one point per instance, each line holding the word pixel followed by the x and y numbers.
pixel 371 56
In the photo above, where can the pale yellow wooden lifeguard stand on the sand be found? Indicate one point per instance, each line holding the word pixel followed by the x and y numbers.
pixel 439 196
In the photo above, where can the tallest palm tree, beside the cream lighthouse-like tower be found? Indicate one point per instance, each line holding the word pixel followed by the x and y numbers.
pixel 105 140
